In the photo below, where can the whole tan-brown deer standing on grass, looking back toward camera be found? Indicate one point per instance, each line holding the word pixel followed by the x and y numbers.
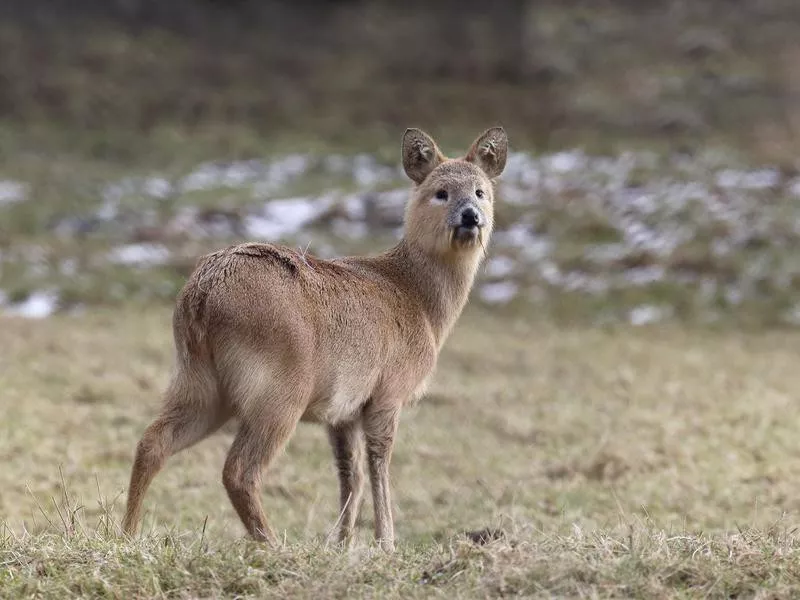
pixel 273 337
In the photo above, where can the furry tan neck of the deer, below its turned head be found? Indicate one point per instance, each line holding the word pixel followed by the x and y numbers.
pixel 441 283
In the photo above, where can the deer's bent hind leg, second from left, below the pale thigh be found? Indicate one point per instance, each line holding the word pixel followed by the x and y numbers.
pixel 256 445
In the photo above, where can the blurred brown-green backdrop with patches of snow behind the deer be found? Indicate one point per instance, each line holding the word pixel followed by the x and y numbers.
pixel 654 172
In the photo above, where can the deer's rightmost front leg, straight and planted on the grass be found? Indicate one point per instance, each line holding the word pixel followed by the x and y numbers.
pixel 380 427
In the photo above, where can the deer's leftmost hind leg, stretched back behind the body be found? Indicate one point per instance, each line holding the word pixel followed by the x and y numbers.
pixel 192 411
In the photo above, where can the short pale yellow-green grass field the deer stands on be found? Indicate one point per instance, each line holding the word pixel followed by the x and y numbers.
pixel 618 462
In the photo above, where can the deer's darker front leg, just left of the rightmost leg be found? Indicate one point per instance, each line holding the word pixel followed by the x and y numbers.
pixel 348 450
